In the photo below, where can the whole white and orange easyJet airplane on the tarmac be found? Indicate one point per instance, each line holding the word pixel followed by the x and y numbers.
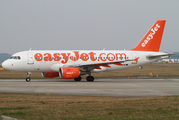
pixel 72 64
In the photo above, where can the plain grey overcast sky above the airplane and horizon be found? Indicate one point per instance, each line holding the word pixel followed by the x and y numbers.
pixel 85 24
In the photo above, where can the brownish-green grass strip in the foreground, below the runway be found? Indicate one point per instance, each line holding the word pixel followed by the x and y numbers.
pixel 63 107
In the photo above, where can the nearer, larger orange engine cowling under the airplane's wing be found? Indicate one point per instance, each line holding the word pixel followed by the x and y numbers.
pixel 69 72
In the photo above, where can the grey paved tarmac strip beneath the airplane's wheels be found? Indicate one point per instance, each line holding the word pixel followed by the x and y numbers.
pixel 100 87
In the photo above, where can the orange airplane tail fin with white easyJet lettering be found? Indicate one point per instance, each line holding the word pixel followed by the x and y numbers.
pixel 152 40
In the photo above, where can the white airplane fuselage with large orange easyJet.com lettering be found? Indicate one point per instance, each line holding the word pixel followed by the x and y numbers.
pixel 52 60
